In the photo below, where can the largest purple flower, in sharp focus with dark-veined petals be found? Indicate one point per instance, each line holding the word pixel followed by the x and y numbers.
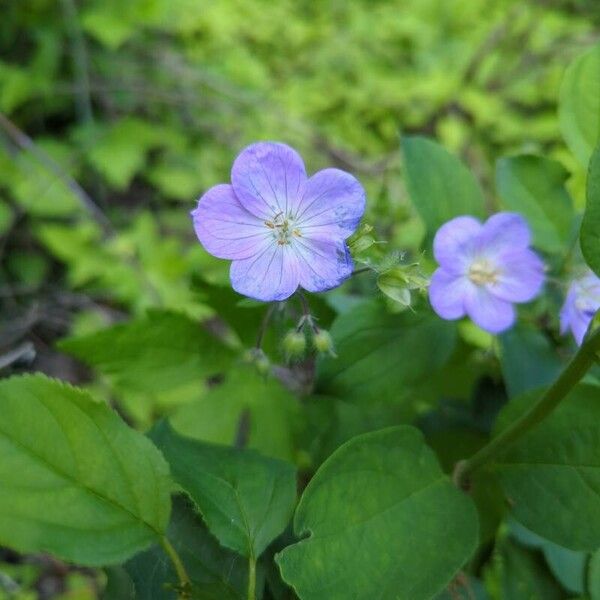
pixel 281 228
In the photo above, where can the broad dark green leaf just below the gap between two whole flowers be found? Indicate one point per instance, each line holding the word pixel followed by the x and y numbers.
pixel 380 356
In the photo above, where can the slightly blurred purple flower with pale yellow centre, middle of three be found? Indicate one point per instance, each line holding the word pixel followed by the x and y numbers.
pixel 484 269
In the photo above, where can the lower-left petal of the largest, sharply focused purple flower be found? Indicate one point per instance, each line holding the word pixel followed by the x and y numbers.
pixel 271 275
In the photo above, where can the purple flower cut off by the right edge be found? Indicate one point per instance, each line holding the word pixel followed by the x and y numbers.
pixel 582 302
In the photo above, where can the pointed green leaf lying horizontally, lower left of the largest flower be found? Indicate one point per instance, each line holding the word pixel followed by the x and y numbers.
pixel 157 353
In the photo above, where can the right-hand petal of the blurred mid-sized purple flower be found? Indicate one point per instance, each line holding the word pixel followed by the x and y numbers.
pixel 521 277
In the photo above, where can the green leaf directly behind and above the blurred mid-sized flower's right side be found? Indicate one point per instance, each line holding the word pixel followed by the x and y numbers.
pixel 535 187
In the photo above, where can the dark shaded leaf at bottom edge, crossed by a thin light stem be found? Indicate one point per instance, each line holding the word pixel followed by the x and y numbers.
pixel 216 573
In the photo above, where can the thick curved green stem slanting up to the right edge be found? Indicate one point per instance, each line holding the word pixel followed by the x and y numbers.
pixel 572 374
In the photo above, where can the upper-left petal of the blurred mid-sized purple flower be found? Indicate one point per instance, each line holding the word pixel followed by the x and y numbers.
pixel 454 243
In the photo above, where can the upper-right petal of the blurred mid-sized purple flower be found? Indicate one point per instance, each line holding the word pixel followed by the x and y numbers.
pixel 504 232
